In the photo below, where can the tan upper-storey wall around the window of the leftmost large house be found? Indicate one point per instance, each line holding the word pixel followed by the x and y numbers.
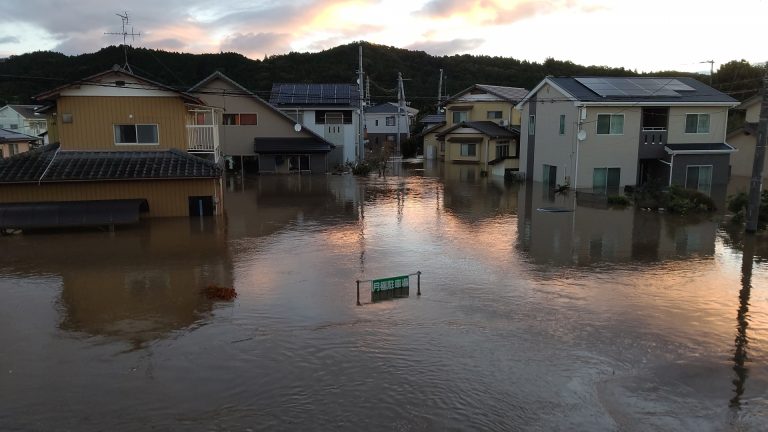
pixel 93 118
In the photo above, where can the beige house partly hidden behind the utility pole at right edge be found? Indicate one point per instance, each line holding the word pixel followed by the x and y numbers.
pixel 744 139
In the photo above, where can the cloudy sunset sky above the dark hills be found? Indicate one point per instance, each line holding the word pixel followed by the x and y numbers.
pixel 645 35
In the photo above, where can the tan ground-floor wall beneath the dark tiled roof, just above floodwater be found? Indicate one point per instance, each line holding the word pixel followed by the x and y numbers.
pixel 165 197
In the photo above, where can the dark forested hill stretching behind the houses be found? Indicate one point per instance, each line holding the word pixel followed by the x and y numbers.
pixel 25 75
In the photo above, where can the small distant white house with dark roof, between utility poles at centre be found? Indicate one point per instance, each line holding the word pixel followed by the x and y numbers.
pixel 385 121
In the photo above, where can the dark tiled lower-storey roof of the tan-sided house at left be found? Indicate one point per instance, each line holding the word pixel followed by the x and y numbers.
pixel 48 164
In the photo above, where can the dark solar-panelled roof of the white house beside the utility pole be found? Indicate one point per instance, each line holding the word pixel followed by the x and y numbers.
pixel 292 94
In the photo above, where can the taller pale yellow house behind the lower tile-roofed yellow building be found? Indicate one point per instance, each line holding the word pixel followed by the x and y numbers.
pixel 477 103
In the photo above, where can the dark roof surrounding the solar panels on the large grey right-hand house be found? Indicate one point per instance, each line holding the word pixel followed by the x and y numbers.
pixel 700 93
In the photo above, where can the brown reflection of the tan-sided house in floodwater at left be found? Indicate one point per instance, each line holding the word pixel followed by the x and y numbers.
pixel 139 285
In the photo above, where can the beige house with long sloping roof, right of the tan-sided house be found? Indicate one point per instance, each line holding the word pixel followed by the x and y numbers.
pixel 257 137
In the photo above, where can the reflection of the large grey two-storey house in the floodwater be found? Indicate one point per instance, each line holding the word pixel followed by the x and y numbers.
pixel 595 234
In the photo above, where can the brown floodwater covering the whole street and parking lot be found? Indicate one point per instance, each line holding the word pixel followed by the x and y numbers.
pixel 593 319
